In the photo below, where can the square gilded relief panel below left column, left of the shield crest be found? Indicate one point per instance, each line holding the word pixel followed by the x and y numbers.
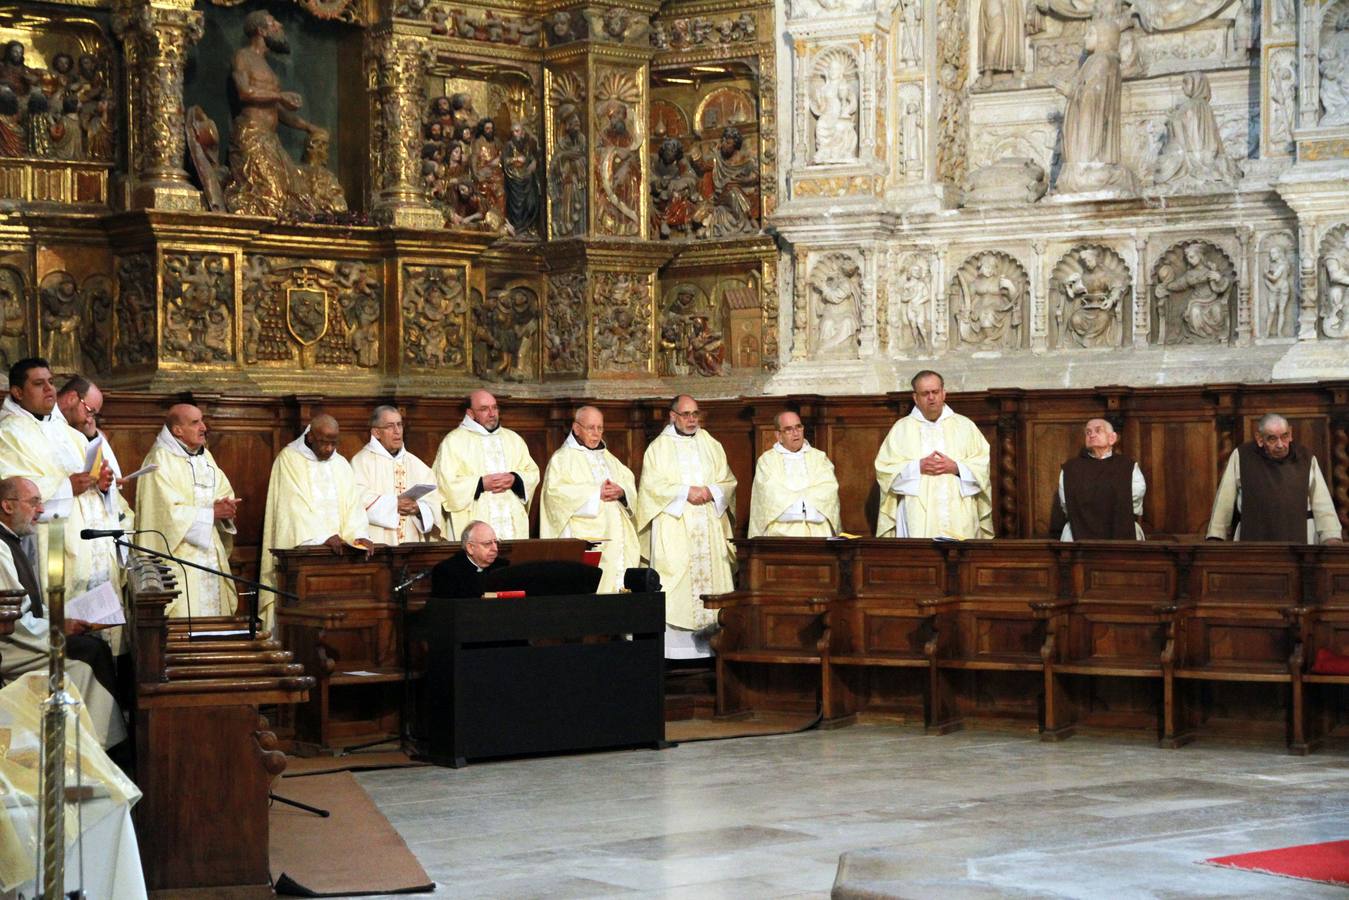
pixel 199 303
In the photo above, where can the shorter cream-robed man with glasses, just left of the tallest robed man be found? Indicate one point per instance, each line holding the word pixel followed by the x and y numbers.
pixel 795 490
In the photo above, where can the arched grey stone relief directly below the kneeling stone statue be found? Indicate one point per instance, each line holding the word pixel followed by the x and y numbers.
pixel 1195 288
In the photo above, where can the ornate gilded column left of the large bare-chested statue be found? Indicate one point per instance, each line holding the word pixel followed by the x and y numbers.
pixel 156 37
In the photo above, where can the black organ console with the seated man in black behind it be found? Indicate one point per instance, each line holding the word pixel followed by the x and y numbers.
pixel 543 674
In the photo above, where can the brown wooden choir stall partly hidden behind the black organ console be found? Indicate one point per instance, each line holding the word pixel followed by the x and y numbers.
pixel 347 620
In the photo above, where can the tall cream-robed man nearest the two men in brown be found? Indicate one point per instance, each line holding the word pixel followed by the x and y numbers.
pixel 934 472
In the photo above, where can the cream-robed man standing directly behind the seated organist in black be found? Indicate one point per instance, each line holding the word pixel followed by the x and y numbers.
pixel 485 472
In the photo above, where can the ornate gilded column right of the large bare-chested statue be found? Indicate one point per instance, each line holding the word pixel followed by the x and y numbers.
pixel 396 67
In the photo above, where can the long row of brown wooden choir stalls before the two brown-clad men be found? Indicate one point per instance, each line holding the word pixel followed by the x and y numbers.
pixel 1178 640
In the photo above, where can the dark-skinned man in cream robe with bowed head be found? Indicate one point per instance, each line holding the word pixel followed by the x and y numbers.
pixel 312 500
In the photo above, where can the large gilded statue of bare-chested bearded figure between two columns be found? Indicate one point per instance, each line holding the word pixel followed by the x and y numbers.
pixel 265 181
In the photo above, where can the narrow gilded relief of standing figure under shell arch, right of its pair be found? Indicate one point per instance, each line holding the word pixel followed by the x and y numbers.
pixel 619 161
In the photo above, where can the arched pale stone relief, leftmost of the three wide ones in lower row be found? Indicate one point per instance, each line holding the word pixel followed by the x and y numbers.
pixel 988 300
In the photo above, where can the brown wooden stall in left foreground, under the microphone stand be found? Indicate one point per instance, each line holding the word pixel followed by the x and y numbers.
pixel 206 758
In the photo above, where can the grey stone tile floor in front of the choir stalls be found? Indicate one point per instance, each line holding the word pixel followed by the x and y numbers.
pixel 975 814
